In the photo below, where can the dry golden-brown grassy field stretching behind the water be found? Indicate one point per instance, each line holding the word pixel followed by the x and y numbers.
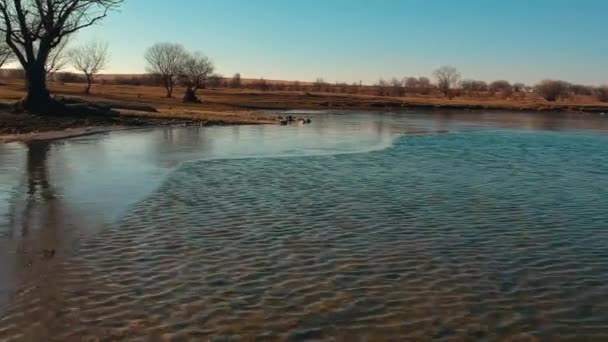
pixel 242 106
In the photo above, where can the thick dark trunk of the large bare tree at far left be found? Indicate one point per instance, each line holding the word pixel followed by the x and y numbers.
pixel 38 98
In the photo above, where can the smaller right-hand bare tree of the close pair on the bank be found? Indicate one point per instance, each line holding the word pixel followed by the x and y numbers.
pixel 197 67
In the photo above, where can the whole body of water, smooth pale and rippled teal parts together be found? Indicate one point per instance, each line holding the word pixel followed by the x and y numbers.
pixel 362 226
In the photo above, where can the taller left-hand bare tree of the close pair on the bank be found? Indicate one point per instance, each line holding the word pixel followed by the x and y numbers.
pixel 167 61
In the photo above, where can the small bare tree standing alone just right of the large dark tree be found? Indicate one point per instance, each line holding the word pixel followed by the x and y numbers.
pixel 89 59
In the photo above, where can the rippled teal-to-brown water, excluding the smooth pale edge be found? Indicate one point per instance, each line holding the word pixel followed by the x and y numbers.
pixel 447 237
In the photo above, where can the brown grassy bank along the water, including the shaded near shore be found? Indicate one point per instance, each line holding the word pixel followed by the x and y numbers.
pixel 137 107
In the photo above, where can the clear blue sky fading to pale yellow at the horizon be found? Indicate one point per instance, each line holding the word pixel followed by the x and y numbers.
pixel 352 40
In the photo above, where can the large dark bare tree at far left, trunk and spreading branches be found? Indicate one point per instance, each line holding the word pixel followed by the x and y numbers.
pixel 33 28
